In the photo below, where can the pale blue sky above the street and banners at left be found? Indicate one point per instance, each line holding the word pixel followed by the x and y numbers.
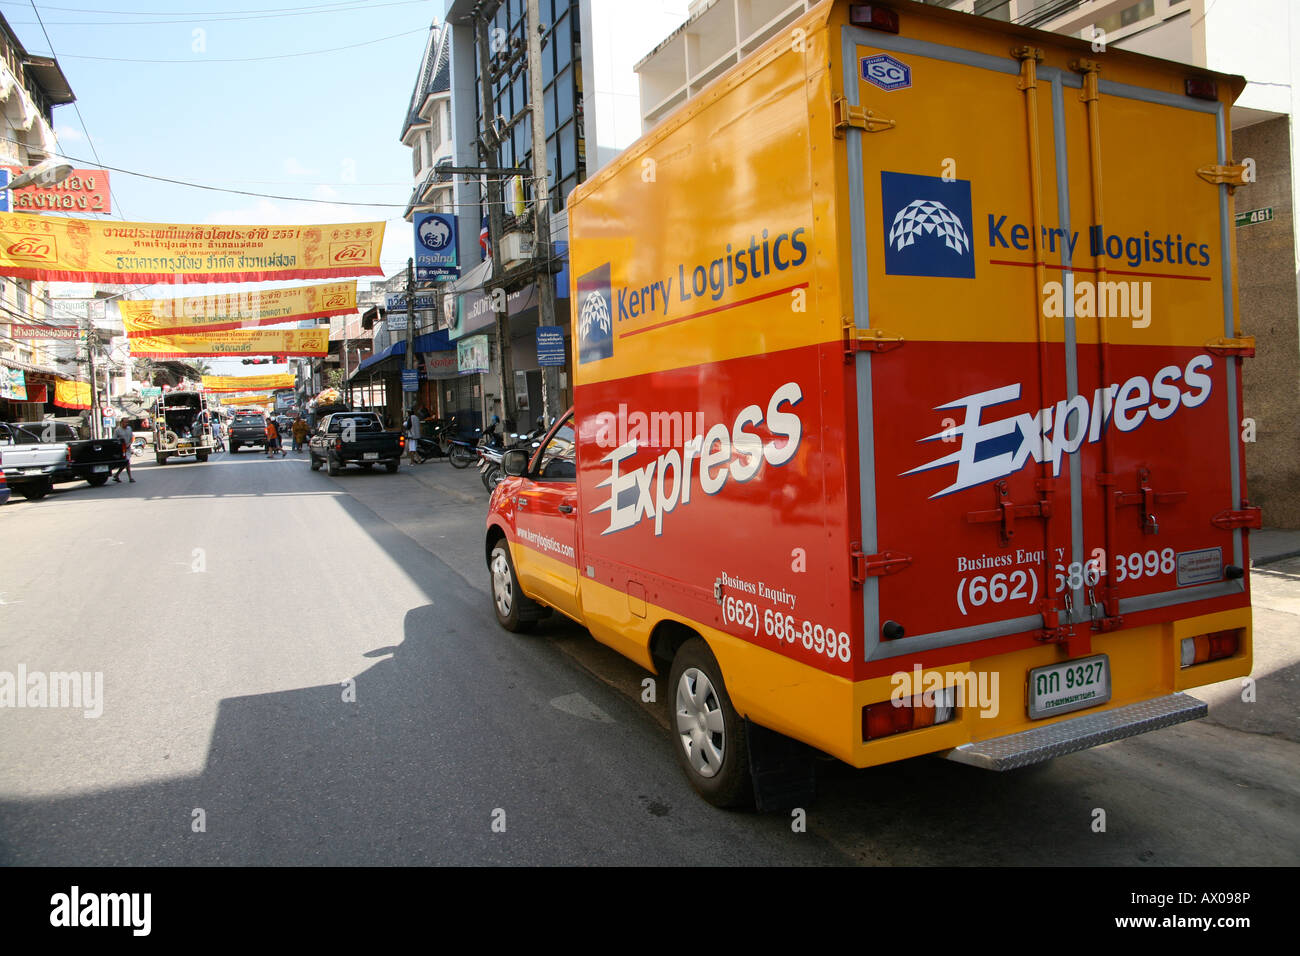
pixel 233 94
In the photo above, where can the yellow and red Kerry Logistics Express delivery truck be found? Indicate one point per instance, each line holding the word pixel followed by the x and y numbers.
pixel 907 401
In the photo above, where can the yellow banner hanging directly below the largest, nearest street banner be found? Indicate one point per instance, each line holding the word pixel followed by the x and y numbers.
pixel 237 310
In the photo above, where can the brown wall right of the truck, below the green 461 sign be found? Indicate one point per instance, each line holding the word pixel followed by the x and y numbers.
pixel 1268 291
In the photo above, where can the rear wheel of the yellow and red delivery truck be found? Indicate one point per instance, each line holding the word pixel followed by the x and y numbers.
pixel 709 736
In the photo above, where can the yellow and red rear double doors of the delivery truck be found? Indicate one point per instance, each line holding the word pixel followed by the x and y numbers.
pixel 1046 423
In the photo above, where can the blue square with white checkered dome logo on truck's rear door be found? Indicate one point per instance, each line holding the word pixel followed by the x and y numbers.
pixel 928 226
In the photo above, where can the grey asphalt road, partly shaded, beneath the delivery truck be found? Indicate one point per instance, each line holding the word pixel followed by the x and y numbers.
pixel 310 669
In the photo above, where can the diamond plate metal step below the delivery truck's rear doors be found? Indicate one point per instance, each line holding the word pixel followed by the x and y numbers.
pixel 1078 733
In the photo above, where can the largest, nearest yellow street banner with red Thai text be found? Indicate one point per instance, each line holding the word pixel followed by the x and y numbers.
pixel 86 250
